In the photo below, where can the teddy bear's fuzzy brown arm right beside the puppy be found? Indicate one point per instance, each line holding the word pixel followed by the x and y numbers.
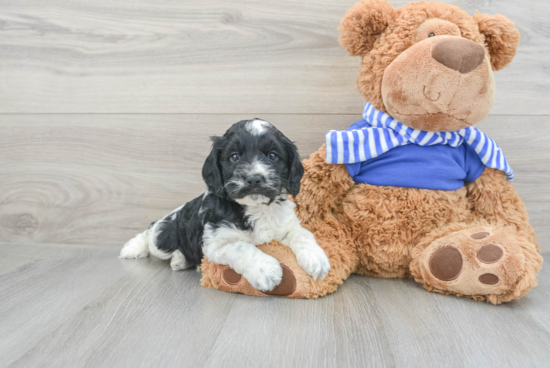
pixel 323 188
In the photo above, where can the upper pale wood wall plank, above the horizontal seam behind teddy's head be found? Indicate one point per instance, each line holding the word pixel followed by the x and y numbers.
pixel 245 56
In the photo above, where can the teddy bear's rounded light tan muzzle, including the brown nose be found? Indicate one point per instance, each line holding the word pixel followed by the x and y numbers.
pixel 442 83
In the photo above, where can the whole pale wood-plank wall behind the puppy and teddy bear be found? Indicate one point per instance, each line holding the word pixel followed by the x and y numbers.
pixel 106 106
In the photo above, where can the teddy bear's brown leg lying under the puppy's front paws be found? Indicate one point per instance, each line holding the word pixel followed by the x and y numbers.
pixel 296 282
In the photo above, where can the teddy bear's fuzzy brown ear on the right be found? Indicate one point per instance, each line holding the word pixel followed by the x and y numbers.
pixel 501 37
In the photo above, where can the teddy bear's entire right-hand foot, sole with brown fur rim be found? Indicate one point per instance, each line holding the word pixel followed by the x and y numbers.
pixel 483 263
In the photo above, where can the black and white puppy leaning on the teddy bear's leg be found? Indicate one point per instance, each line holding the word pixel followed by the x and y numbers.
pixel 249 173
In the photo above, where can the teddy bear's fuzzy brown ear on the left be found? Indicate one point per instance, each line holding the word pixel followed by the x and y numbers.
pixel 363 24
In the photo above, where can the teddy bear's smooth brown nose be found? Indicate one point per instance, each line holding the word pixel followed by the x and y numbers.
pixel 458 54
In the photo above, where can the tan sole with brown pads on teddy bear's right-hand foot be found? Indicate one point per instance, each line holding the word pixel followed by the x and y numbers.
pixel 473 262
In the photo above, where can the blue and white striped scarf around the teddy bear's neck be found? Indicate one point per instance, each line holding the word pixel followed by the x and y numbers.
pixel 383 133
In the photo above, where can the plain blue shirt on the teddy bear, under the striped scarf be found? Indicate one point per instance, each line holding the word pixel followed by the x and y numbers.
pixel 439 167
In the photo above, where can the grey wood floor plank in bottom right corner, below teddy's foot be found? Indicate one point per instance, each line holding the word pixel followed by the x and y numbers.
pixel 430 330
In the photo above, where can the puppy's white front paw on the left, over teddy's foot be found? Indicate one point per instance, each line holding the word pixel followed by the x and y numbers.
pixel 264 273
